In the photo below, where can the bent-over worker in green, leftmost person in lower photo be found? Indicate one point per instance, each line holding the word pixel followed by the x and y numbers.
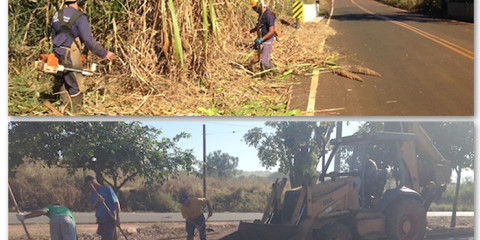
pixel 62 223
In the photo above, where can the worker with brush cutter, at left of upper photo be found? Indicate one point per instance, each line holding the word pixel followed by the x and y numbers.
pixel 70 28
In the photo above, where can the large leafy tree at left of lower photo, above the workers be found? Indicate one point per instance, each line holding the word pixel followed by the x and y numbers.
pixel 118 152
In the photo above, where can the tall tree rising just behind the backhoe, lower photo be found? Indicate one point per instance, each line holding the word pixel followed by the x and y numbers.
pixel 295 147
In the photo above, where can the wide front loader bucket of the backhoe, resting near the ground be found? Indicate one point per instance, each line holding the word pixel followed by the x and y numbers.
pixel 259 231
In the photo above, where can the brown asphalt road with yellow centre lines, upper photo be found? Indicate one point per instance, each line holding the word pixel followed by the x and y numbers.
pixel 426 64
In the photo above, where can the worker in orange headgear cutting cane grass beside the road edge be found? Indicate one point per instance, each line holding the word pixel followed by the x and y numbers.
pixel 266 26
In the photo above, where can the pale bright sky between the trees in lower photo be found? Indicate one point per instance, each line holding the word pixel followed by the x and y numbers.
pixel 226 136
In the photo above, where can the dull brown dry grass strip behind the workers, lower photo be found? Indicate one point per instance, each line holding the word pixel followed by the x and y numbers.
pixel 35 186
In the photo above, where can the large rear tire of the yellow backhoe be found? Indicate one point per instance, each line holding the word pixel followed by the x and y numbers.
pixel 406 219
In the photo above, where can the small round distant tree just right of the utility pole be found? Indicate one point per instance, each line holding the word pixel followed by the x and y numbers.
pixel 221 164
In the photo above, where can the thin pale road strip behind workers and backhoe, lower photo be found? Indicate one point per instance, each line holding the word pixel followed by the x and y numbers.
pixel 128 217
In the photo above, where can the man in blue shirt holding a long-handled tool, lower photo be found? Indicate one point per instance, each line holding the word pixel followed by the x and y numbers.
pixel 106 222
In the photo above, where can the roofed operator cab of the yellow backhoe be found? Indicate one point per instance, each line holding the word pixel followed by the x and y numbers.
pixel 371 174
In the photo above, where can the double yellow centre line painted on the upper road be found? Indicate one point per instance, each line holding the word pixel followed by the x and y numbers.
pixel 460 50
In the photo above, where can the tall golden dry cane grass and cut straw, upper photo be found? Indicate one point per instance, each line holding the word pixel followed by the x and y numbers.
pixel 174 58
